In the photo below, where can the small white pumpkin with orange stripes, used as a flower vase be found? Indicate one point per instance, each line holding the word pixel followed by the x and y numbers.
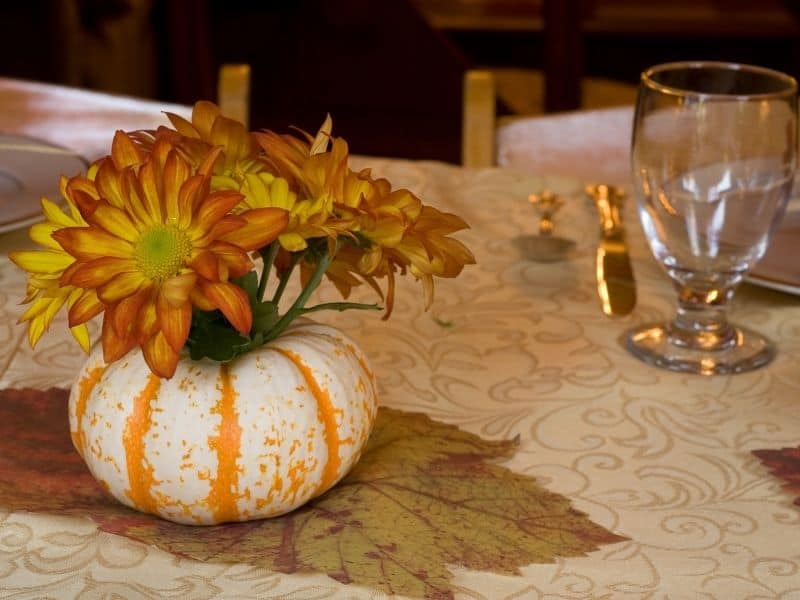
pixel 253 438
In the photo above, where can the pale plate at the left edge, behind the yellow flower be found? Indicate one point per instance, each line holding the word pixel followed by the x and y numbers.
pixel 30 169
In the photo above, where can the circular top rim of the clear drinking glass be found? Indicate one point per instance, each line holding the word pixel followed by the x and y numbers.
pixel 648 81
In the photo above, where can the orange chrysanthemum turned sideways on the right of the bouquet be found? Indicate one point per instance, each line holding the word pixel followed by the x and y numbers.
pixel 396 232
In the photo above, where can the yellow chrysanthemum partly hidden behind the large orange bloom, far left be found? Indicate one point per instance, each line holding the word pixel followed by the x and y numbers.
pixel 45 296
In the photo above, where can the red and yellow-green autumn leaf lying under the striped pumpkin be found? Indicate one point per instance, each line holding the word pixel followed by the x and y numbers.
pixel 424 497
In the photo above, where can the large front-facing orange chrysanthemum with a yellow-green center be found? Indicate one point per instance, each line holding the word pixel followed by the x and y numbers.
pixel 158 242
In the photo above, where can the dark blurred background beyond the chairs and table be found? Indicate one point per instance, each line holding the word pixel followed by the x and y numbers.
pixel 389 71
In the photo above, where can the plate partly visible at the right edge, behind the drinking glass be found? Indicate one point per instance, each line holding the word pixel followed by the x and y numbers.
pixel 780 267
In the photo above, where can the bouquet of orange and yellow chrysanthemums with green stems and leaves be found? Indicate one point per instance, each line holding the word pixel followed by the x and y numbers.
pixel 159 237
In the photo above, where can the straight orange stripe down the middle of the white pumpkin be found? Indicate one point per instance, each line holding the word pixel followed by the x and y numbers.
pixel 224 488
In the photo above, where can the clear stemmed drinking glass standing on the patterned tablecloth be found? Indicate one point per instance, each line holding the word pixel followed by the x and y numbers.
pixel 713 157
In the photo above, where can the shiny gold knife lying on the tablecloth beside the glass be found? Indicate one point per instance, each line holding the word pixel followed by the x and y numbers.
pixel 615 284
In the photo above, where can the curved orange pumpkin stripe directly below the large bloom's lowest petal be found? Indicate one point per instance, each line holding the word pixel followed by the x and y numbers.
pixel 140 471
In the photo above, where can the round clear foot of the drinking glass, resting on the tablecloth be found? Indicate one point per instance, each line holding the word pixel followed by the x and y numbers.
pixel 651 344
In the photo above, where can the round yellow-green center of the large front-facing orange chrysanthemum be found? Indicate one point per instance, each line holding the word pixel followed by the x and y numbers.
pixel 161 252
